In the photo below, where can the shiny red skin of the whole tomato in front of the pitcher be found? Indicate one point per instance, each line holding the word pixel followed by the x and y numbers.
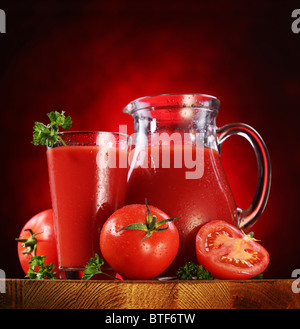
pixel 125 252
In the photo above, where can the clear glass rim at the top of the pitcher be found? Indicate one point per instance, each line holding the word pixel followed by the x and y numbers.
pixel 209 102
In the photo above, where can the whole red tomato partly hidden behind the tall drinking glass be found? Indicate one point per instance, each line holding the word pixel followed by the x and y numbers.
pixel 37 238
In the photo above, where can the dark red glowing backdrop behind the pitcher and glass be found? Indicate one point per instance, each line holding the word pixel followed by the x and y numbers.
pixel 91 58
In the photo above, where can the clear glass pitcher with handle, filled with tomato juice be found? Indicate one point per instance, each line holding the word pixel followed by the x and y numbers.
pixel 175 164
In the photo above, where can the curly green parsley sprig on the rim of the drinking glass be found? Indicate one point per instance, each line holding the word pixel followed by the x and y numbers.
pixel 48 134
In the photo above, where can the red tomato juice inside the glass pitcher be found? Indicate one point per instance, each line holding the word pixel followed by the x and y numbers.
pixel 195 201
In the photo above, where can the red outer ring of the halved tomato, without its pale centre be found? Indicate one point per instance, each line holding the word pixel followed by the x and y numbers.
pixel 211 261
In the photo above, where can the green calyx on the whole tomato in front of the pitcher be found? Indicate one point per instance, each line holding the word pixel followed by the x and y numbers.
pixel 151 226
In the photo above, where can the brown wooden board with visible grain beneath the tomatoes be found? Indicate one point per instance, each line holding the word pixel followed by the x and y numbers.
pixel 173 294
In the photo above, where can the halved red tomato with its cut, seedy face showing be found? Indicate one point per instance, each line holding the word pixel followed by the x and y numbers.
pixel 228 253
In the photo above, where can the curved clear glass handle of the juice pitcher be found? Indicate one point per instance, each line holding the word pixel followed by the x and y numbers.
pixel 247 217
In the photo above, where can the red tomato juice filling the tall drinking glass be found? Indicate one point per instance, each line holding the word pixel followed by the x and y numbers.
pixel 84 194
